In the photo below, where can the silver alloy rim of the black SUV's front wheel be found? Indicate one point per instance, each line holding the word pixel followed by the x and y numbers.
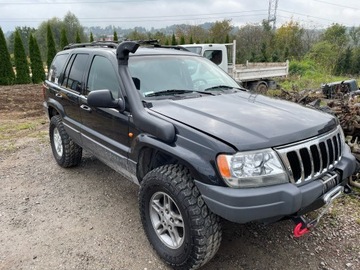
pixel 167 220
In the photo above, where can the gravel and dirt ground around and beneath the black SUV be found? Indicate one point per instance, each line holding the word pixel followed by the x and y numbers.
pixel 87 217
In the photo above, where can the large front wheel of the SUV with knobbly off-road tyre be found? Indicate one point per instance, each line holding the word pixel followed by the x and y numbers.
pixel 177 222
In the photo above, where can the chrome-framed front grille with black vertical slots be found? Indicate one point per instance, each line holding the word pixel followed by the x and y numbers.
pixel 309 159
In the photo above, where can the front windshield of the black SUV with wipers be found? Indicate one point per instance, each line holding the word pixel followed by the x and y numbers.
pixel 170 73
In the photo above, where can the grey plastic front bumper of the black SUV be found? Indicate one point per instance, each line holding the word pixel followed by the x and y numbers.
pixel 251 204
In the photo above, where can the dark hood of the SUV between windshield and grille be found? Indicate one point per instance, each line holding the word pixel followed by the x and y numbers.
pixel 247 121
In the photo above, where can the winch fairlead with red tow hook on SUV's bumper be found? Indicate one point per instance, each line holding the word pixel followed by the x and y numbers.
pixel 304 226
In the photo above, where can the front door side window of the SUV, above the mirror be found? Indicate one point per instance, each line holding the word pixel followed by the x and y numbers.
pixel 102 75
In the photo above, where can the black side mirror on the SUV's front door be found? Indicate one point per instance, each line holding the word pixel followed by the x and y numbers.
pixel 104 98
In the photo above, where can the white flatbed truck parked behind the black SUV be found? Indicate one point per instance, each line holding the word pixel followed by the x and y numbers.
pixel 254 76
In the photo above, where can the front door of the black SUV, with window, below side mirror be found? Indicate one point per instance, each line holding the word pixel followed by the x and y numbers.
pixel 105 130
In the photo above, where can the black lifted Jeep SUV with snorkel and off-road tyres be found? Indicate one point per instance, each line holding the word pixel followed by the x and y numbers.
pixel 199 146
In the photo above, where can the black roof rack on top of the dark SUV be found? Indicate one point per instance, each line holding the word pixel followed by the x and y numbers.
pixel 114 45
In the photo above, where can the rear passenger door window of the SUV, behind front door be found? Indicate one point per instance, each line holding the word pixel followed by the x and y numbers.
pixel 74 72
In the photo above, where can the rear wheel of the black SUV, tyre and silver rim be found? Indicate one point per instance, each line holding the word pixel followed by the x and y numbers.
pixel 66 152
